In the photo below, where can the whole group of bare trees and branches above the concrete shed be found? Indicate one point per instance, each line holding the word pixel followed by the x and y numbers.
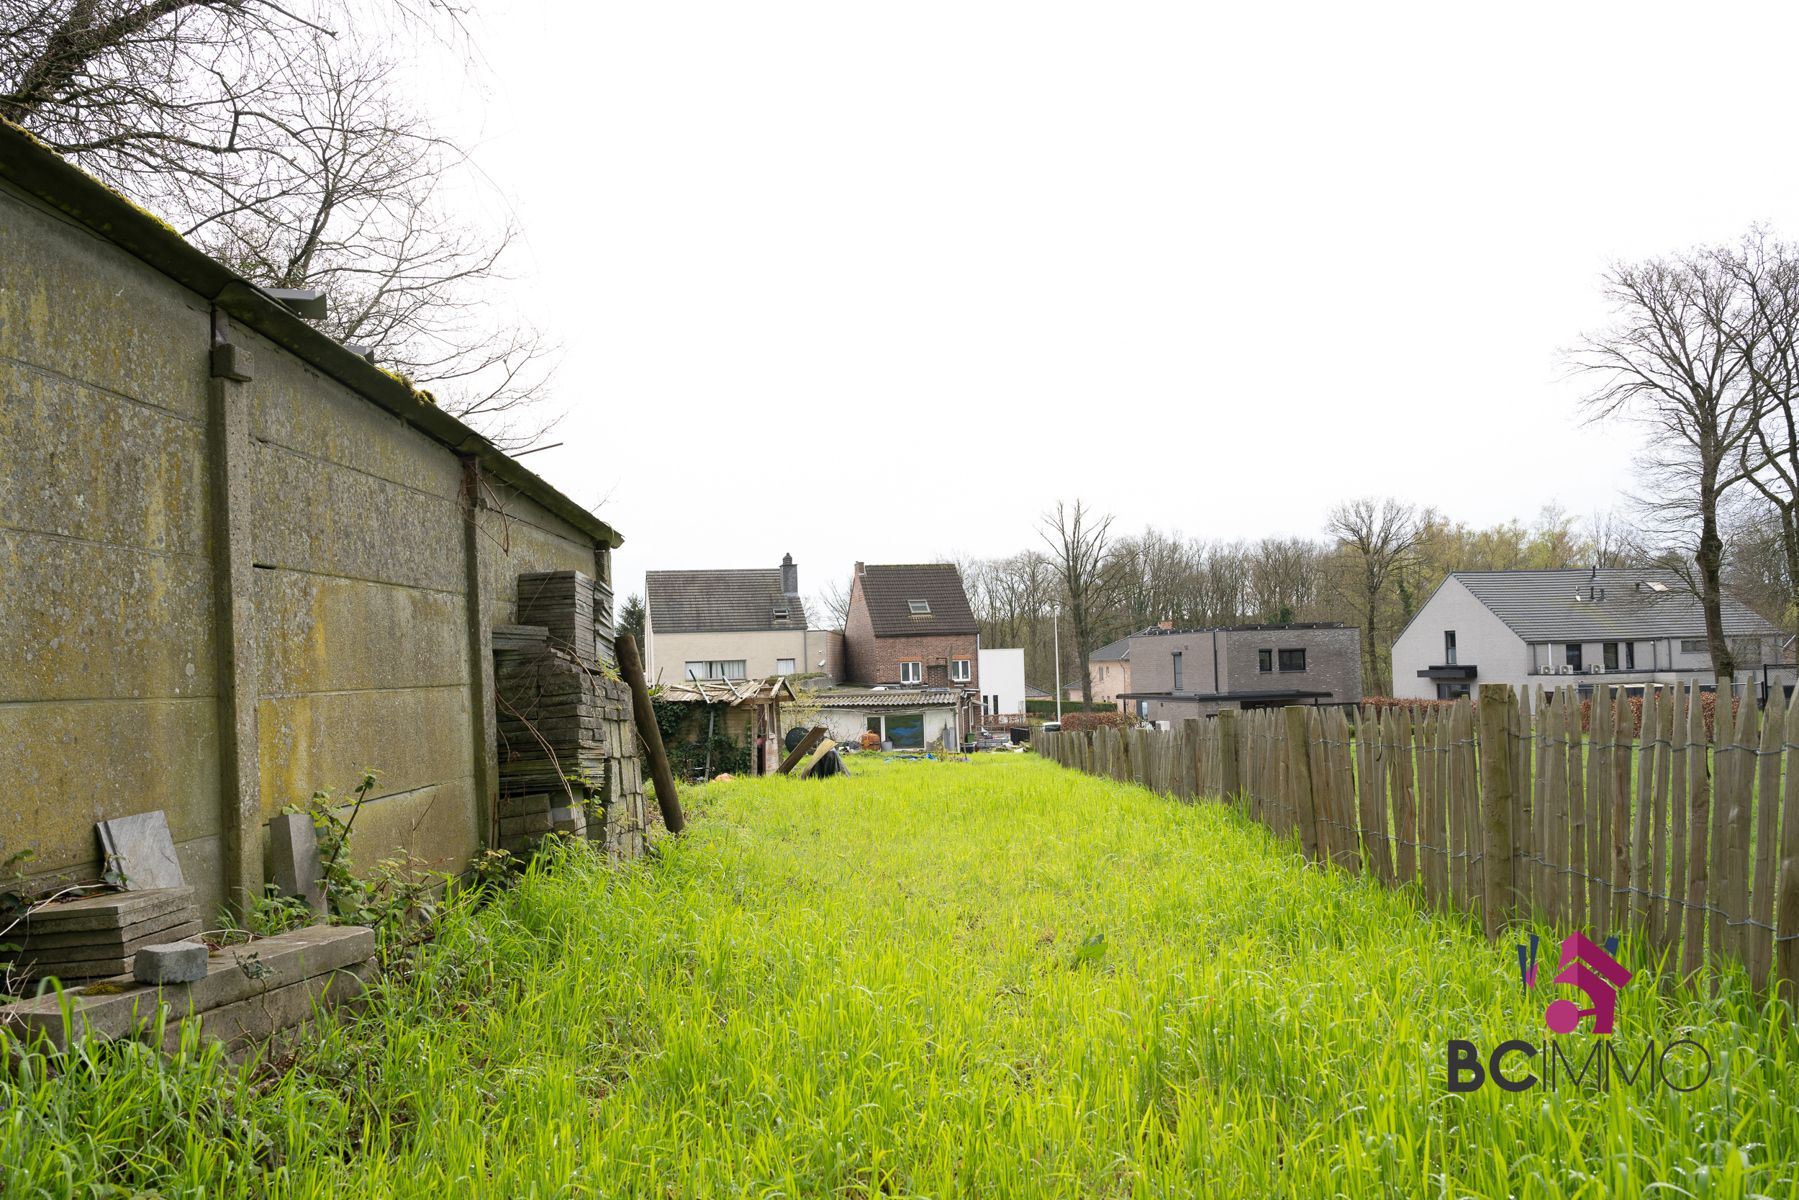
pixel 283 141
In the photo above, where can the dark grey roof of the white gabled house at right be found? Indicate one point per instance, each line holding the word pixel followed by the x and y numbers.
pixel 1559 605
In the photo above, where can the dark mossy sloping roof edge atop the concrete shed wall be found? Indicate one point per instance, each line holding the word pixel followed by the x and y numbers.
pixel 42 174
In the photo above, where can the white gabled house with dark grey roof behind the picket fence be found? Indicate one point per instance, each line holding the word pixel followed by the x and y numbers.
pixel 1624 627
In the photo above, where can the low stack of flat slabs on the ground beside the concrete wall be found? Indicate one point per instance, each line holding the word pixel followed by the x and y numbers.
pixel 100 936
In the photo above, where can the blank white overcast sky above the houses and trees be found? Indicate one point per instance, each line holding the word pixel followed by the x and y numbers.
pixel 888 282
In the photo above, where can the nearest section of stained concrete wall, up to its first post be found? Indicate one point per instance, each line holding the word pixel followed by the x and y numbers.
pixel 109 688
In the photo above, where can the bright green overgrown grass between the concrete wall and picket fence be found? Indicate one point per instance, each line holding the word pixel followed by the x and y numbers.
pixel 935 980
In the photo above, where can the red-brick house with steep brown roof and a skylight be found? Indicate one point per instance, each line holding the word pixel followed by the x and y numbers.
pixel 911 627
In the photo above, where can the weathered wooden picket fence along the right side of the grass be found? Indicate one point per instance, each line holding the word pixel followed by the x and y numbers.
pixel 1512 812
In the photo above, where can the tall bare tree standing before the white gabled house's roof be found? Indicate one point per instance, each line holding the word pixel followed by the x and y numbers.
pixel 1674 361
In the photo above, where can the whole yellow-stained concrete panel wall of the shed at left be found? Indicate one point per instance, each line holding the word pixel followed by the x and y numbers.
pixel 220 596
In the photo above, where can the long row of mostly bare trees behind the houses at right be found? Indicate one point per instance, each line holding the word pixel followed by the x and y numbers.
pixel 1703 352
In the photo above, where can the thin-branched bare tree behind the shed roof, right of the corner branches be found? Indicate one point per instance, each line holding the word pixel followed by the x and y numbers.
pixel 354 210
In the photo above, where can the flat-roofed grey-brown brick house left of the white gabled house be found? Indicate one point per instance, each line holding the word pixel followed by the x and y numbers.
pixel 1179 674
